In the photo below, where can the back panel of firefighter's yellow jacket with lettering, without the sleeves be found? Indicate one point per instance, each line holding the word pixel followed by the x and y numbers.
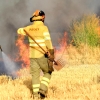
pixel 36 30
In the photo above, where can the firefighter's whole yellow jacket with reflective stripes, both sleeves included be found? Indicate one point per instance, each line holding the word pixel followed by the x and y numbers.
pixel 41 35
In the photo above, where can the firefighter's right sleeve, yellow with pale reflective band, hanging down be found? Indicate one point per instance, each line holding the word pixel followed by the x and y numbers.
pixel 47 38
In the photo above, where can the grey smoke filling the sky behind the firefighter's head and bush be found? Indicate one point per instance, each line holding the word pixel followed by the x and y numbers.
pixel 59 14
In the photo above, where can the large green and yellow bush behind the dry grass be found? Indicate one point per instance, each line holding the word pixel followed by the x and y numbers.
pixel 84 31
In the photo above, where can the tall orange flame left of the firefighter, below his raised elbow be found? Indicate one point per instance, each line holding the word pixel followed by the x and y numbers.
pixel 23 52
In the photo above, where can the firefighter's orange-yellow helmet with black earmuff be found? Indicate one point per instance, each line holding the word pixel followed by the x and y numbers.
pixel 37 16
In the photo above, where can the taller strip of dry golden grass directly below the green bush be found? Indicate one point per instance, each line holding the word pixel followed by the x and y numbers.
pixel 82 55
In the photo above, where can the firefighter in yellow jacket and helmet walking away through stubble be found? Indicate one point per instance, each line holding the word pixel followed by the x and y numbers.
pixel 38 59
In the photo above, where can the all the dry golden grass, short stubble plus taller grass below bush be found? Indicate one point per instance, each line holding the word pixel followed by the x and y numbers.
pixel 78 80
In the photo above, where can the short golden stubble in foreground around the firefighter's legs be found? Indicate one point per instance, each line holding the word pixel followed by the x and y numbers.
pixel 80 82
